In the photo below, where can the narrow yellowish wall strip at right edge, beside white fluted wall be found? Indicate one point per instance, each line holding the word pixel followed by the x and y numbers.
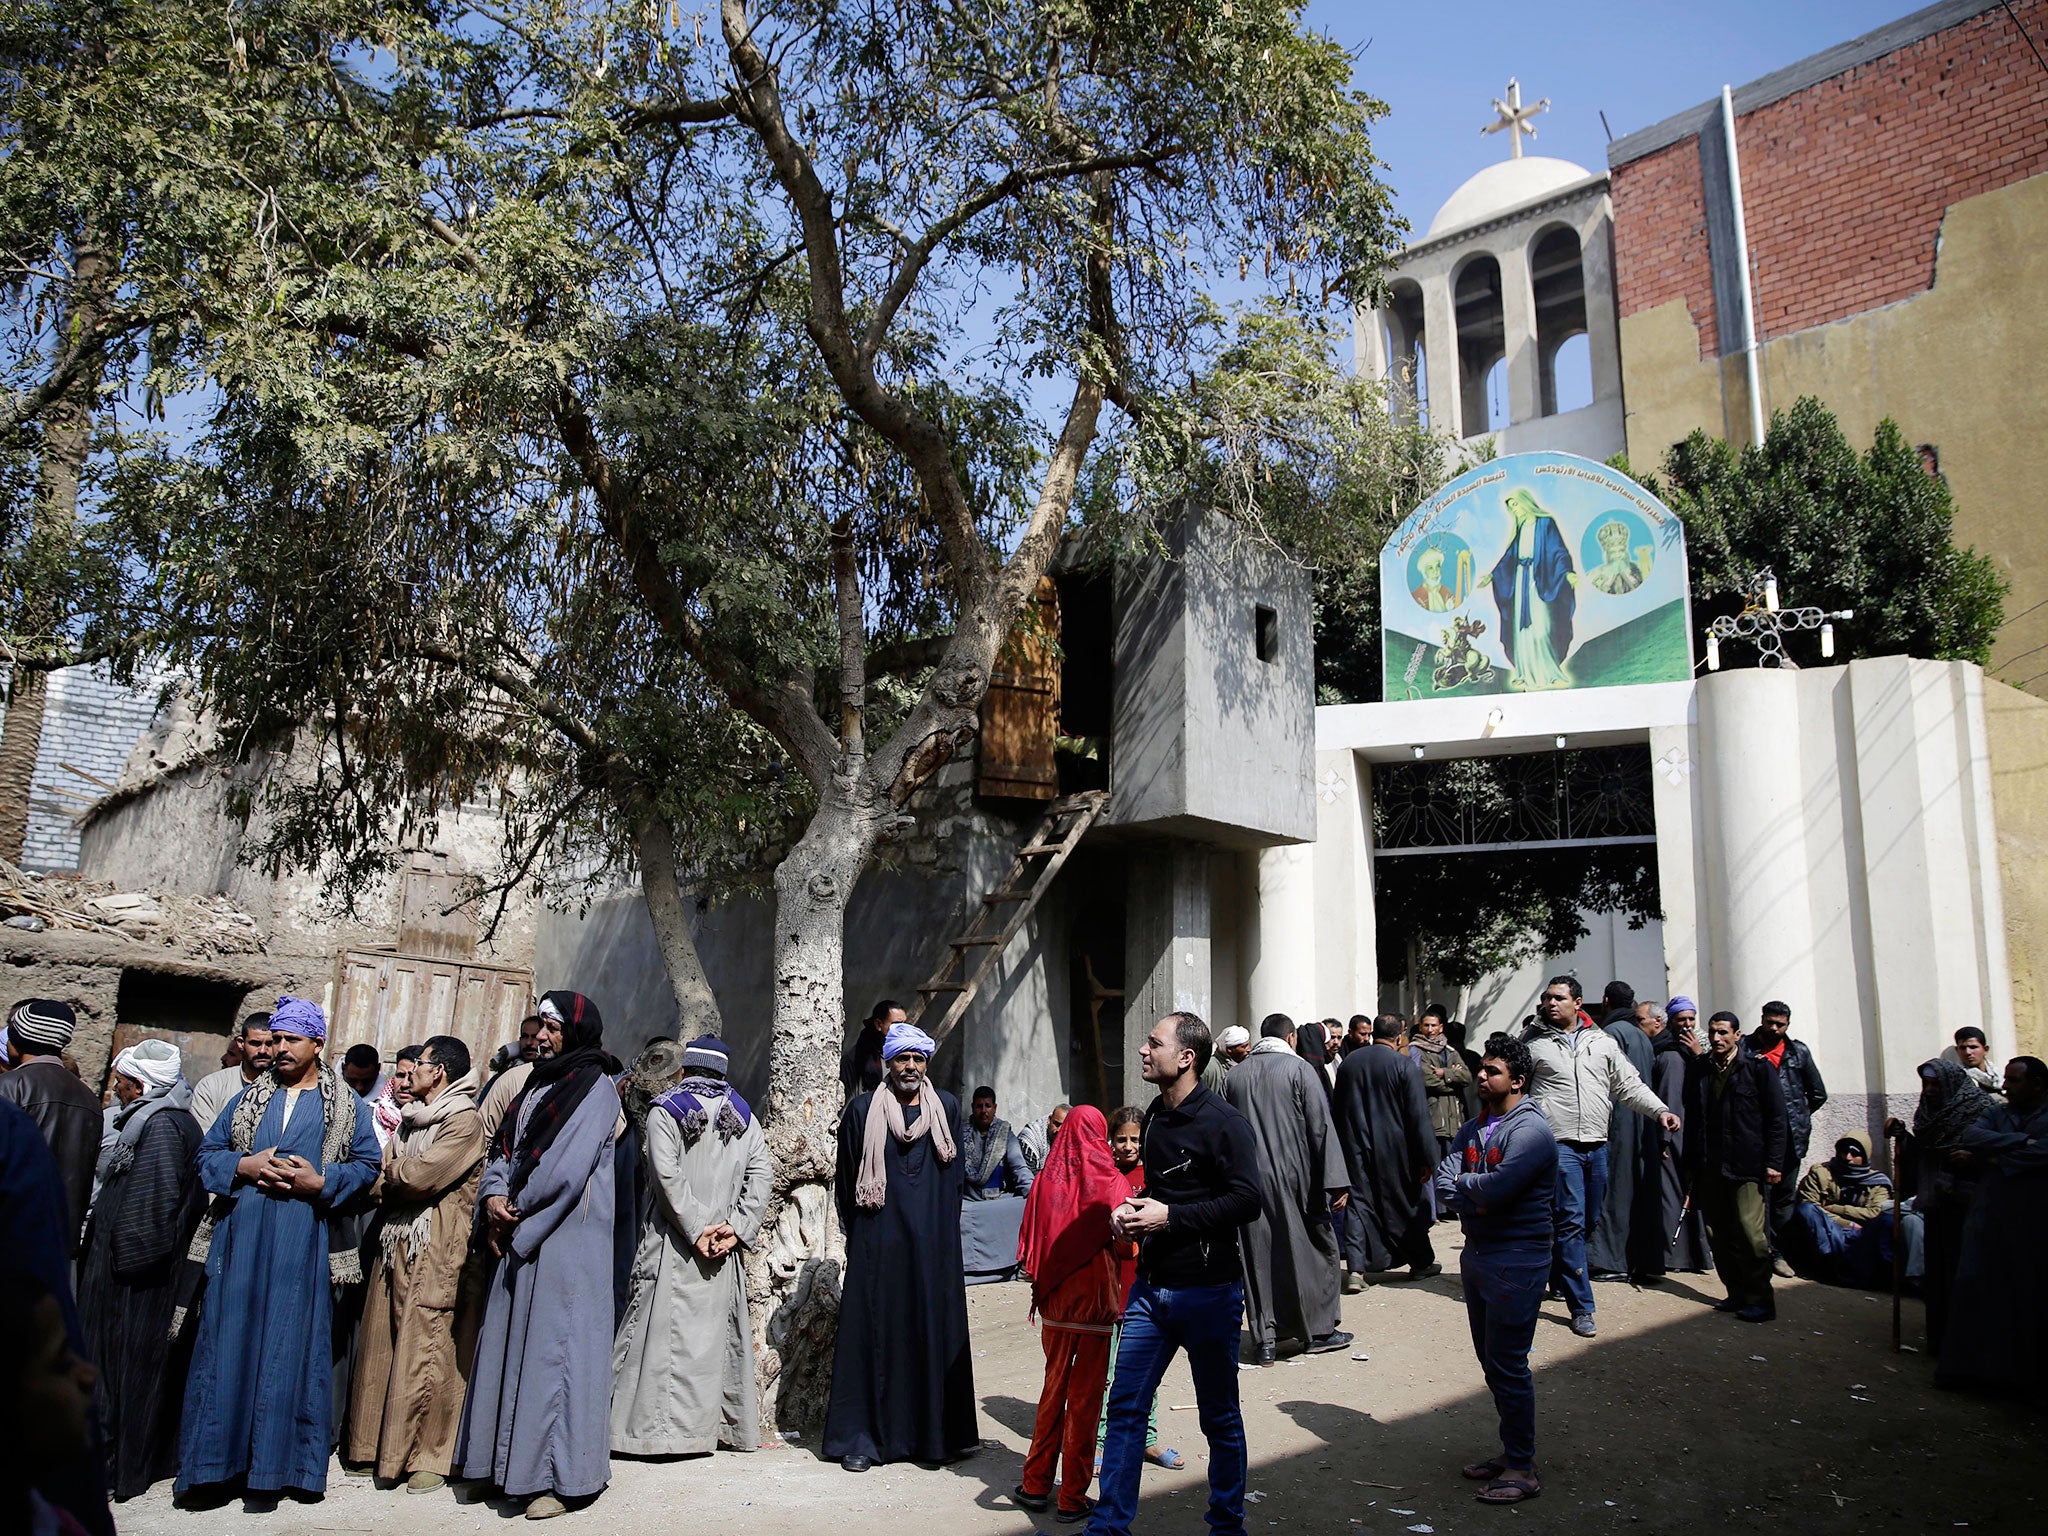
pixel 2018 736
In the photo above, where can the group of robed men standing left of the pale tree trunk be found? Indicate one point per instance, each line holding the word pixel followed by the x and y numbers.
pixel 493 1273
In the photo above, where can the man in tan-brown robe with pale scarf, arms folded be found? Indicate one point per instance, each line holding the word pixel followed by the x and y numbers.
pixel 413 1361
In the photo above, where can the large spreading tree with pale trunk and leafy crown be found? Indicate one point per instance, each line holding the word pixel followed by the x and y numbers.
pixel 665 421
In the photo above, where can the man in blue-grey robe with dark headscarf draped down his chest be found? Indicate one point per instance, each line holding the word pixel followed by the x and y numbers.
pixel 538 1420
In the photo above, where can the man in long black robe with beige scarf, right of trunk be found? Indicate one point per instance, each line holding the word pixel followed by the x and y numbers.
pixel 902 1373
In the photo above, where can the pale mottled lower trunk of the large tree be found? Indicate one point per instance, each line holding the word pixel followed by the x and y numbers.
pixel 794 1273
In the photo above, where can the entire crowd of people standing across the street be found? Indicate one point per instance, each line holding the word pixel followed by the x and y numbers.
pixel 509 1273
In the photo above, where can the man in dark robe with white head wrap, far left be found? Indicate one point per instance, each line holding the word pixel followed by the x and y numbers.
pixel 142 1220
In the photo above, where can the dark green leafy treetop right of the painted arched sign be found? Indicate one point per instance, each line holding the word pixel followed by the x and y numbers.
pixel 1869 531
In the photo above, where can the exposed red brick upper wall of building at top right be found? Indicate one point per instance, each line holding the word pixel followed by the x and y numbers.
pixel 1844 181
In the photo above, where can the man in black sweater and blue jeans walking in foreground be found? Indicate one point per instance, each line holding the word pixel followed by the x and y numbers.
pixel 1201 1189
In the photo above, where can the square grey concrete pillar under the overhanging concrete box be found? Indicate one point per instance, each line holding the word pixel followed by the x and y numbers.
pixel 1166 945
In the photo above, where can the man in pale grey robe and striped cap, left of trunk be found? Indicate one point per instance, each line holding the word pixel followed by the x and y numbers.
pixel 683 1369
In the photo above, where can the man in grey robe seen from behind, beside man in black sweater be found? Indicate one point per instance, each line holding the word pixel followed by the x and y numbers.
pixel 1291 1250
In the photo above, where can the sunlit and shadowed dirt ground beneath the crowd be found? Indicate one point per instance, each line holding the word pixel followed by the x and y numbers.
pixel 1676 1420
